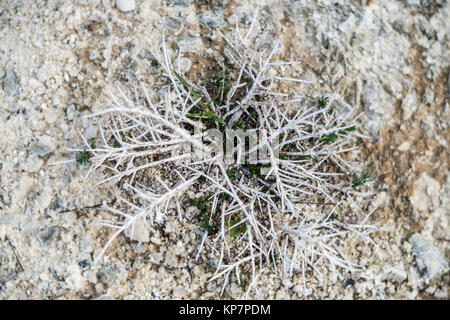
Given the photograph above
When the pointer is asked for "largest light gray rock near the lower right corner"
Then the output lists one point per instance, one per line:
(428, 257)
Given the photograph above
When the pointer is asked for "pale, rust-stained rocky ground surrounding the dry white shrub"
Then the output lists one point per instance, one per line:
(58, 58)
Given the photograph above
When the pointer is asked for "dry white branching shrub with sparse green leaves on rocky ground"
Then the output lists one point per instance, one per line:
(286, 218)
